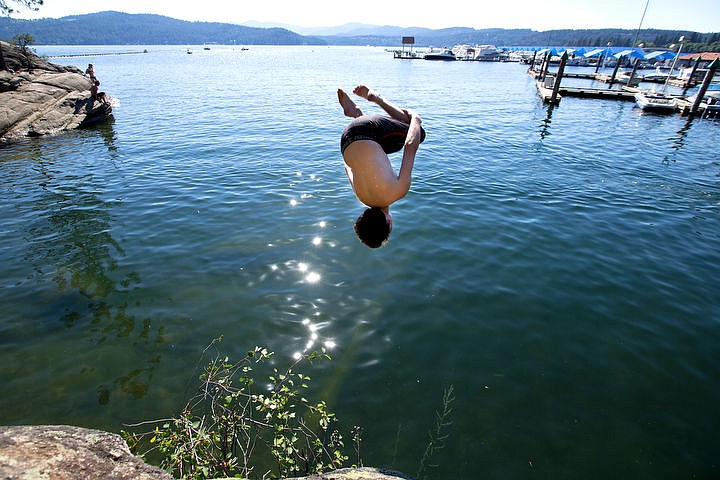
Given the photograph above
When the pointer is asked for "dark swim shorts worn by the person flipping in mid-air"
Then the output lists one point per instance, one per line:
(387, 132)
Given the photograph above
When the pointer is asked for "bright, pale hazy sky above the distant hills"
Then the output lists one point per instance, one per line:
(696, 15)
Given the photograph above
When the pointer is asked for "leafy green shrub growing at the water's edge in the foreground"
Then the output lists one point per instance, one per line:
(231, 427)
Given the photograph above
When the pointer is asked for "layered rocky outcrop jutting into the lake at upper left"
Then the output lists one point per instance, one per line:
(40, 98)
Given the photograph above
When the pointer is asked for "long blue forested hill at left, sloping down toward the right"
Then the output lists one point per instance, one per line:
(114, 28)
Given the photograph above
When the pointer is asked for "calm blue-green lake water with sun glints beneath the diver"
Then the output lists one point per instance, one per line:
(558, 267)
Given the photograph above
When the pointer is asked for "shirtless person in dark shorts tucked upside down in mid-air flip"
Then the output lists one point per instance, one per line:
(365, 144)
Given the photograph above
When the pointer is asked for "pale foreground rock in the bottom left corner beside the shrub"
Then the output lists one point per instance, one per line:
(69, 453)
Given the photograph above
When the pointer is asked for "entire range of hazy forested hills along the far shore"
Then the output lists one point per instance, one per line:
(113, 28)
